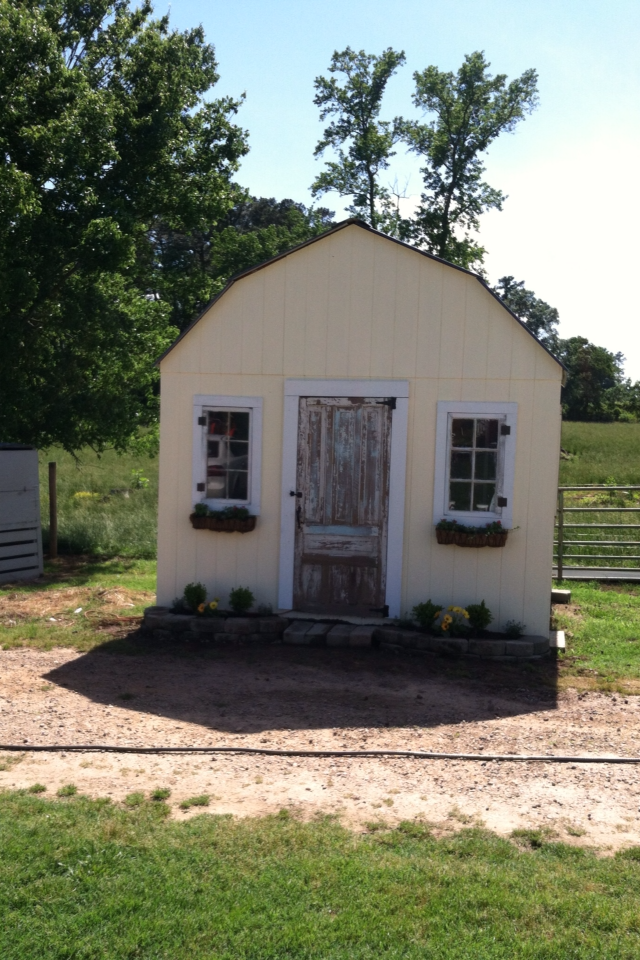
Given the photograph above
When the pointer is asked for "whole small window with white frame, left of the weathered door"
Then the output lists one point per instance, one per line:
(227, 445)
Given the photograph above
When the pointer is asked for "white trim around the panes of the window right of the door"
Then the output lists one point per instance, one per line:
(506, 411)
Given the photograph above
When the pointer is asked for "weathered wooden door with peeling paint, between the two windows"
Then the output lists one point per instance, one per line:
(342, 505)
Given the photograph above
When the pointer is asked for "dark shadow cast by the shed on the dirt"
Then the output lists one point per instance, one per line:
(255, 689)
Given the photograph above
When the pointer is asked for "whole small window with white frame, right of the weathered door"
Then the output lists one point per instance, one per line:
(475, 453)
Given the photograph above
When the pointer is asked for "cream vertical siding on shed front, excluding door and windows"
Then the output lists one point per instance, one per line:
(356, 305)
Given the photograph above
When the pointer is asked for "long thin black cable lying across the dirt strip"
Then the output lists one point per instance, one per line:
(269, 752)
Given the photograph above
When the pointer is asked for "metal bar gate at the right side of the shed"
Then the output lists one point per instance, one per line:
(602, 532)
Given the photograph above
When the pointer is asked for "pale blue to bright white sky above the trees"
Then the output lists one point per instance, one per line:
(569, 227)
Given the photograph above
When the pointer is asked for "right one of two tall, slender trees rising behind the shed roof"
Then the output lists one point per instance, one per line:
(472, 108)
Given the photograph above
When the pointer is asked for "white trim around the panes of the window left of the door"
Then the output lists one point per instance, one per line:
(202, 402)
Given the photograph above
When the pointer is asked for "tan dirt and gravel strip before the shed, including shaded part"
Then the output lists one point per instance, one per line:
(318, 699)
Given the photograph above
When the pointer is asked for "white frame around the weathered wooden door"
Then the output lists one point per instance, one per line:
(293, 390)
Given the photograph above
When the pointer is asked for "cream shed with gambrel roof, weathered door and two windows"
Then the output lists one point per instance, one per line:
(351, 394)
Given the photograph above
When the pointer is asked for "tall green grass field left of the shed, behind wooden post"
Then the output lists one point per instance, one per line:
(107, 505)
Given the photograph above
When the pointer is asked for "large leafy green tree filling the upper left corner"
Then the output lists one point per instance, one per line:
(104, 128)
